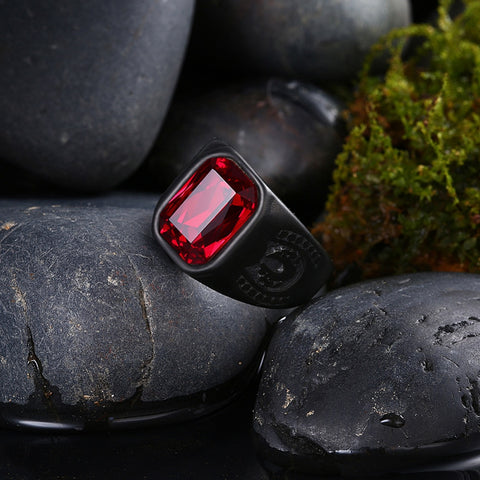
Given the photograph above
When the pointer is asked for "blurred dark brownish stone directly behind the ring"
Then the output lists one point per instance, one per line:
(289, 132)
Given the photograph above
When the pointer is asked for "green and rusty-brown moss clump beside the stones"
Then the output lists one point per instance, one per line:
(406, 190)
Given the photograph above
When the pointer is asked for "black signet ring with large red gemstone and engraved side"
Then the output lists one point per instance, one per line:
(222, 225)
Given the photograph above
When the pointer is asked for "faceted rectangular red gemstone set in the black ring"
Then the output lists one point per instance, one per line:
(208, 210)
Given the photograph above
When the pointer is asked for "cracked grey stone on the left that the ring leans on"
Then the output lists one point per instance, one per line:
(99, 328)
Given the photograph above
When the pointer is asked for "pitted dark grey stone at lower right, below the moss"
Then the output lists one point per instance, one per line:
(382, 375)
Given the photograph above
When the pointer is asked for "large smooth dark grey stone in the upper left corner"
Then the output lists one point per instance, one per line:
(85, 84)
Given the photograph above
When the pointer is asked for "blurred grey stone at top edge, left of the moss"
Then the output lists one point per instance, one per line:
(316, 39)
